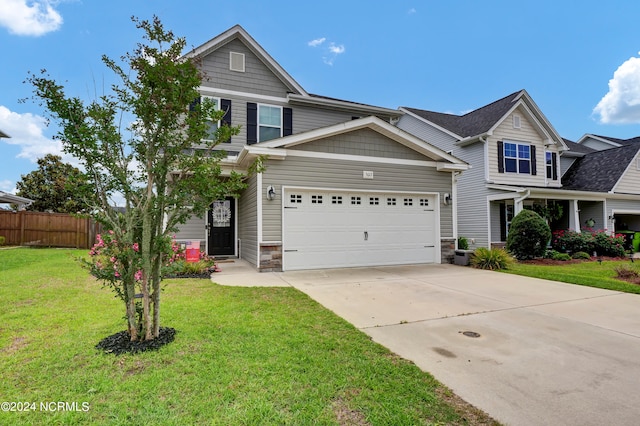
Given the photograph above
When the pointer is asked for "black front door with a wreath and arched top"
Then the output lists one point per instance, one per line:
(221, 228)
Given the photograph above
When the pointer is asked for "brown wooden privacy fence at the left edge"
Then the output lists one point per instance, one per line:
(47, 229)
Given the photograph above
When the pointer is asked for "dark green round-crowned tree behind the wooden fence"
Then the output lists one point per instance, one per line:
(56, 186)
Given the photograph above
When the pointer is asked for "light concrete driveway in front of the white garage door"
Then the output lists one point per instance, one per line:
(544, 353)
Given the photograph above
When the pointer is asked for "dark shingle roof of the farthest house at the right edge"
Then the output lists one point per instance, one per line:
(599, 171)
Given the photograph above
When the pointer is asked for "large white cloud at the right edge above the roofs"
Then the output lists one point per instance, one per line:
(621, 105)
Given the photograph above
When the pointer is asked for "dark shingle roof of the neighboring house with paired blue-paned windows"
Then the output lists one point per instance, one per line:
(473, 123)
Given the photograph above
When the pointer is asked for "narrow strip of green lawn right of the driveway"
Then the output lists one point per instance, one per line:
(592, 274)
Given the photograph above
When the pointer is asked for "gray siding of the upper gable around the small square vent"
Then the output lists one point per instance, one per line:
(257, 77)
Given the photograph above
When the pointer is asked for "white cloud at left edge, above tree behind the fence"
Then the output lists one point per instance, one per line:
(27, 132)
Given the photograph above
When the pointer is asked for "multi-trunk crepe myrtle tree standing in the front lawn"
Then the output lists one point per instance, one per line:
(150, 163)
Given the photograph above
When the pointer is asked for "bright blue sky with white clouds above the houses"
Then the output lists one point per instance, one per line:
(579, 61)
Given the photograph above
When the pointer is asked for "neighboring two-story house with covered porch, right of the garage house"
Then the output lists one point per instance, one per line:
(517, 159)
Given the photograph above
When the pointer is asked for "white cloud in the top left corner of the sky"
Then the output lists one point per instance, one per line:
(29, 17)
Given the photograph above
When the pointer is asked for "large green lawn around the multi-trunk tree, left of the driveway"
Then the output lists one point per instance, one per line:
(241, 356)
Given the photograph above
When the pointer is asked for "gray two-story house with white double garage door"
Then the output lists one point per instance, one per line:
(342, 187)
